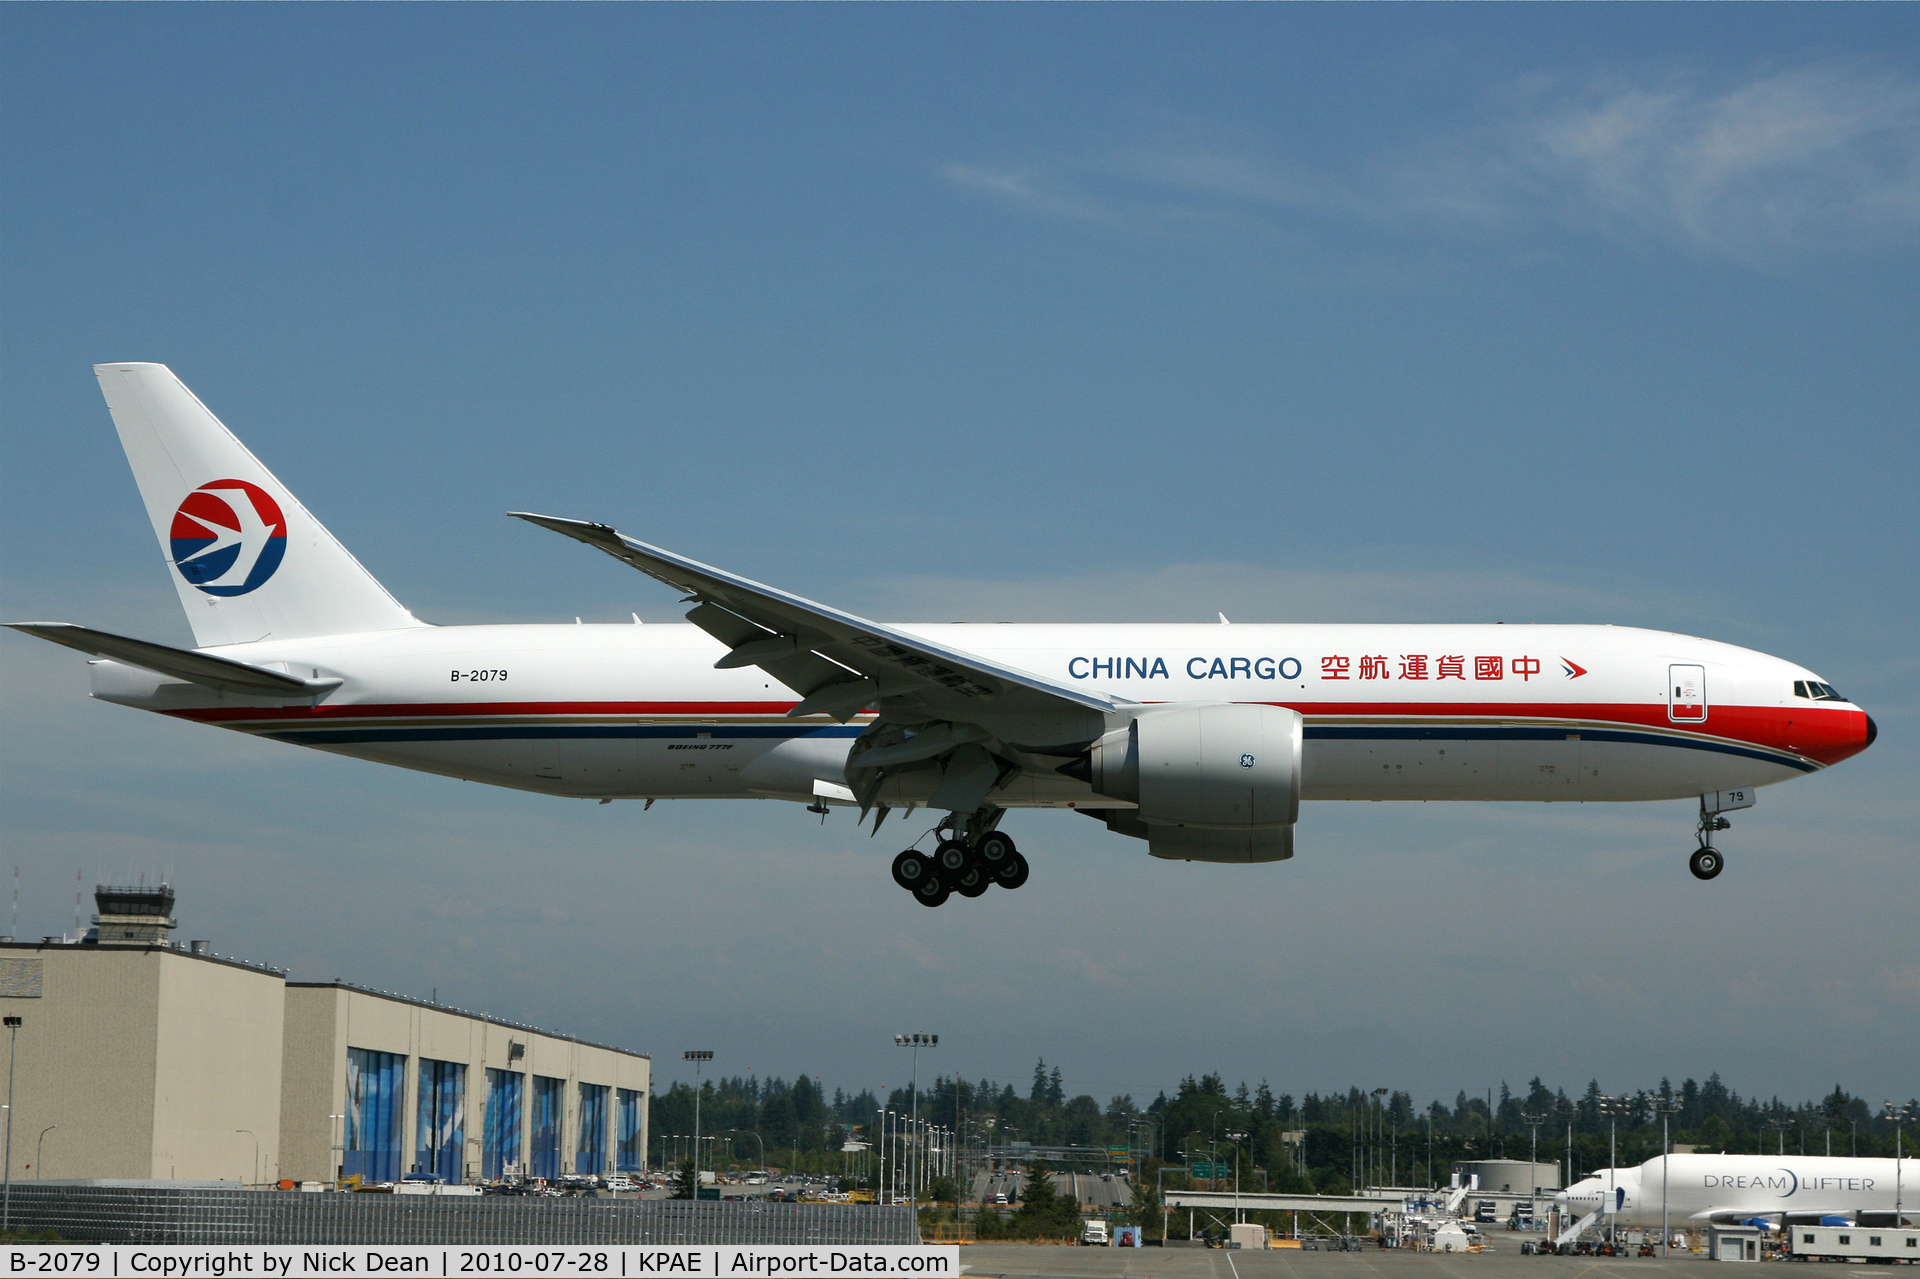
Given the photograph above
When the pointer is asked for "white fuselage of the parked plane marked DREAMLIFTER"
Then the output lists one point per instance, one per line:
(1746, 1186)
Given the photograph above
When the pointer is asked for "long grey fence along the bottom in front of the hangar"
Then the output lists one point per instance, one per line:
(206, 1217)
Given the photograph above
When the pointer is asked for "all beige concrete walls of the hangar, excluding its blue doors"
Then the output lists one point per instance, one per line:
(153, 1063)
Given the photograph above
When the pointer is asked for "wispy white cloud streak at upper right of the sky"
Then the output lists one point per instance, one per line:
(1777, 162)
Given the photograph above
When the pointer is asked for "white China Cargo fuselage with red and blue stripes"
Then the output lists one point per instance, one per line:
(1550, 713)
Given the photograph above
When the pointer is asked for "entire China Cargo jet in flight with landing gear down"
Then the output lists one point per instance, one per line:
(1199, 740)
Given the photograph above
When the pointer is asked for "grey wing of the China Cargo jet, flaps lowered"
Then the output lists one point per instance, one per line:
(836, 662)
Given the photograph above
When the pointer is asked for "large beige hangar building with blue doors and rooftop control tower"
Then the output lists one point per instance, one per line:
(141, 1059)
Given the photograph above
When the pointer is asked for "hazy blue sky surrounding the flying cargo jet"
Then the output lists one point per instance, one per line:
(1593, 314)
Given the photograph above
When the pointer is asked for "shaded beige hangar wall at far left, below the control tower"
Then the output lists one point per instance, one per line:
(85, 1063)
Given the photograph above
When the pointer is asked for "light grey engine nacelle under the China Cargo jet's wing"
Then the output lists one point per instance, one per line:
(1214, 783)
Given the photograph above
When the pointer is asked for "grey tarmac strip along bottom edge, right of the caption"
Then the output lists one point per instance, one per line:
(1040, 1263)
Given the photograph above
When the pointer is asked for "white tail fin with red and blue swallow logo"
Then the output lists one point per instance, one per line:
(249, 560)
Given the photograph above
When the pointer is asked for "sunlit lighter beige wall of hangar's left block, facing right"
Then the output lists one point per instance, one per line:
(218, 1071)
